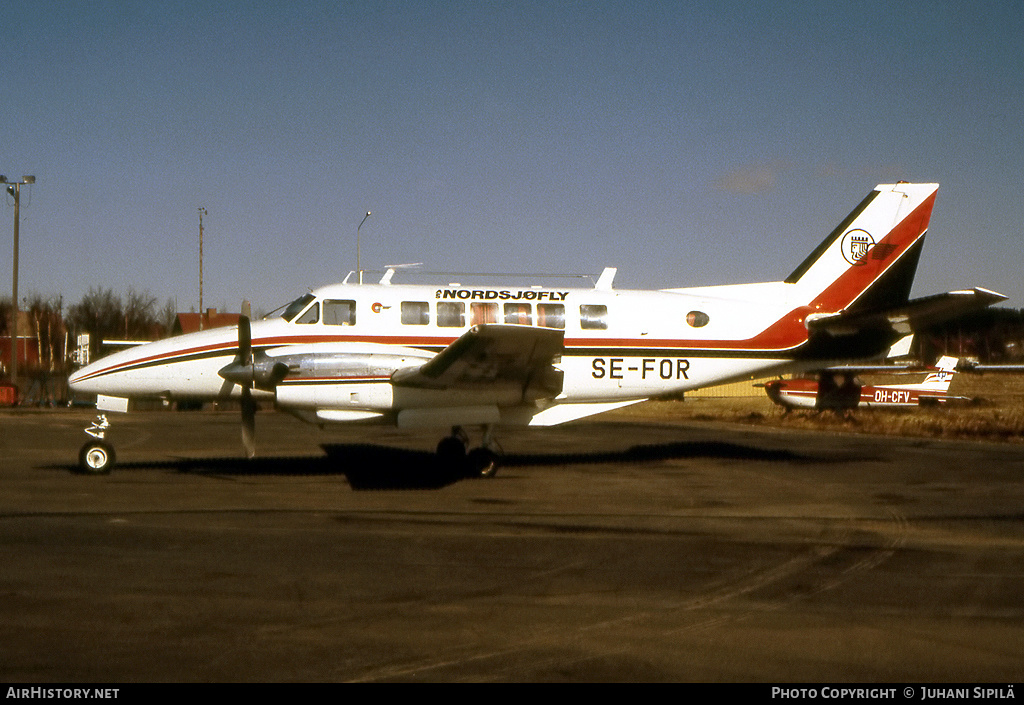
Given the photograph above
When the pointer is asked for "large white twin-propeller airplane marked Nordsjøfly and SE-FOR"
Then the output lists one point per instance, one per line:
(457, 357)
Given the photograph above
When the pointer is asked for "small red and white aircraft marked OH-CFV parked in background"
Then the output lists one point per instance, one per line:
(839, 390)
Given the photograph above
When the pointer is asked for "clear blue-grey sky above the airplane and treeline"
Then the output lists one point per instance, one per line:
(686, 143)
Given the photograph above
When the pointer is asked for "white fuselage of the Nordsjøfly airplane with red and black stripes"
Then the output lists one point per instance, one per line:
(344, 344)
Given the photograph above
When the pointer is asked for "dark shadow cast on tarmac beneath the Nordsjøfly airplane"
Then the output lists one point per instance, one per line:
(369, 467)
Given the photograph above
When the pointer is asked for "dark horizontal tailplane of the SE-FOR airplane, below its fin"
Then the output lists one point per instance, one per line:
(915, 315)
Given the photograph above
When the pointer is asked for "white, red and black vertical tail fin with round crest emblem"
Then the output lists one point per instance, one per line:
(870, 261)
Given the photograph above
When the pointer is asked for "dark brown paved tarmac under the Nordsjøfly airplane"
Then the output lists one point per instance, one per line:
(614, 550)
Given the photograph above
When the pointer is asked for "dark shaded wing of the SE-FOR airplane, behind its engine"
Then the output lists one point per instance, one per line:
(491, 356)
